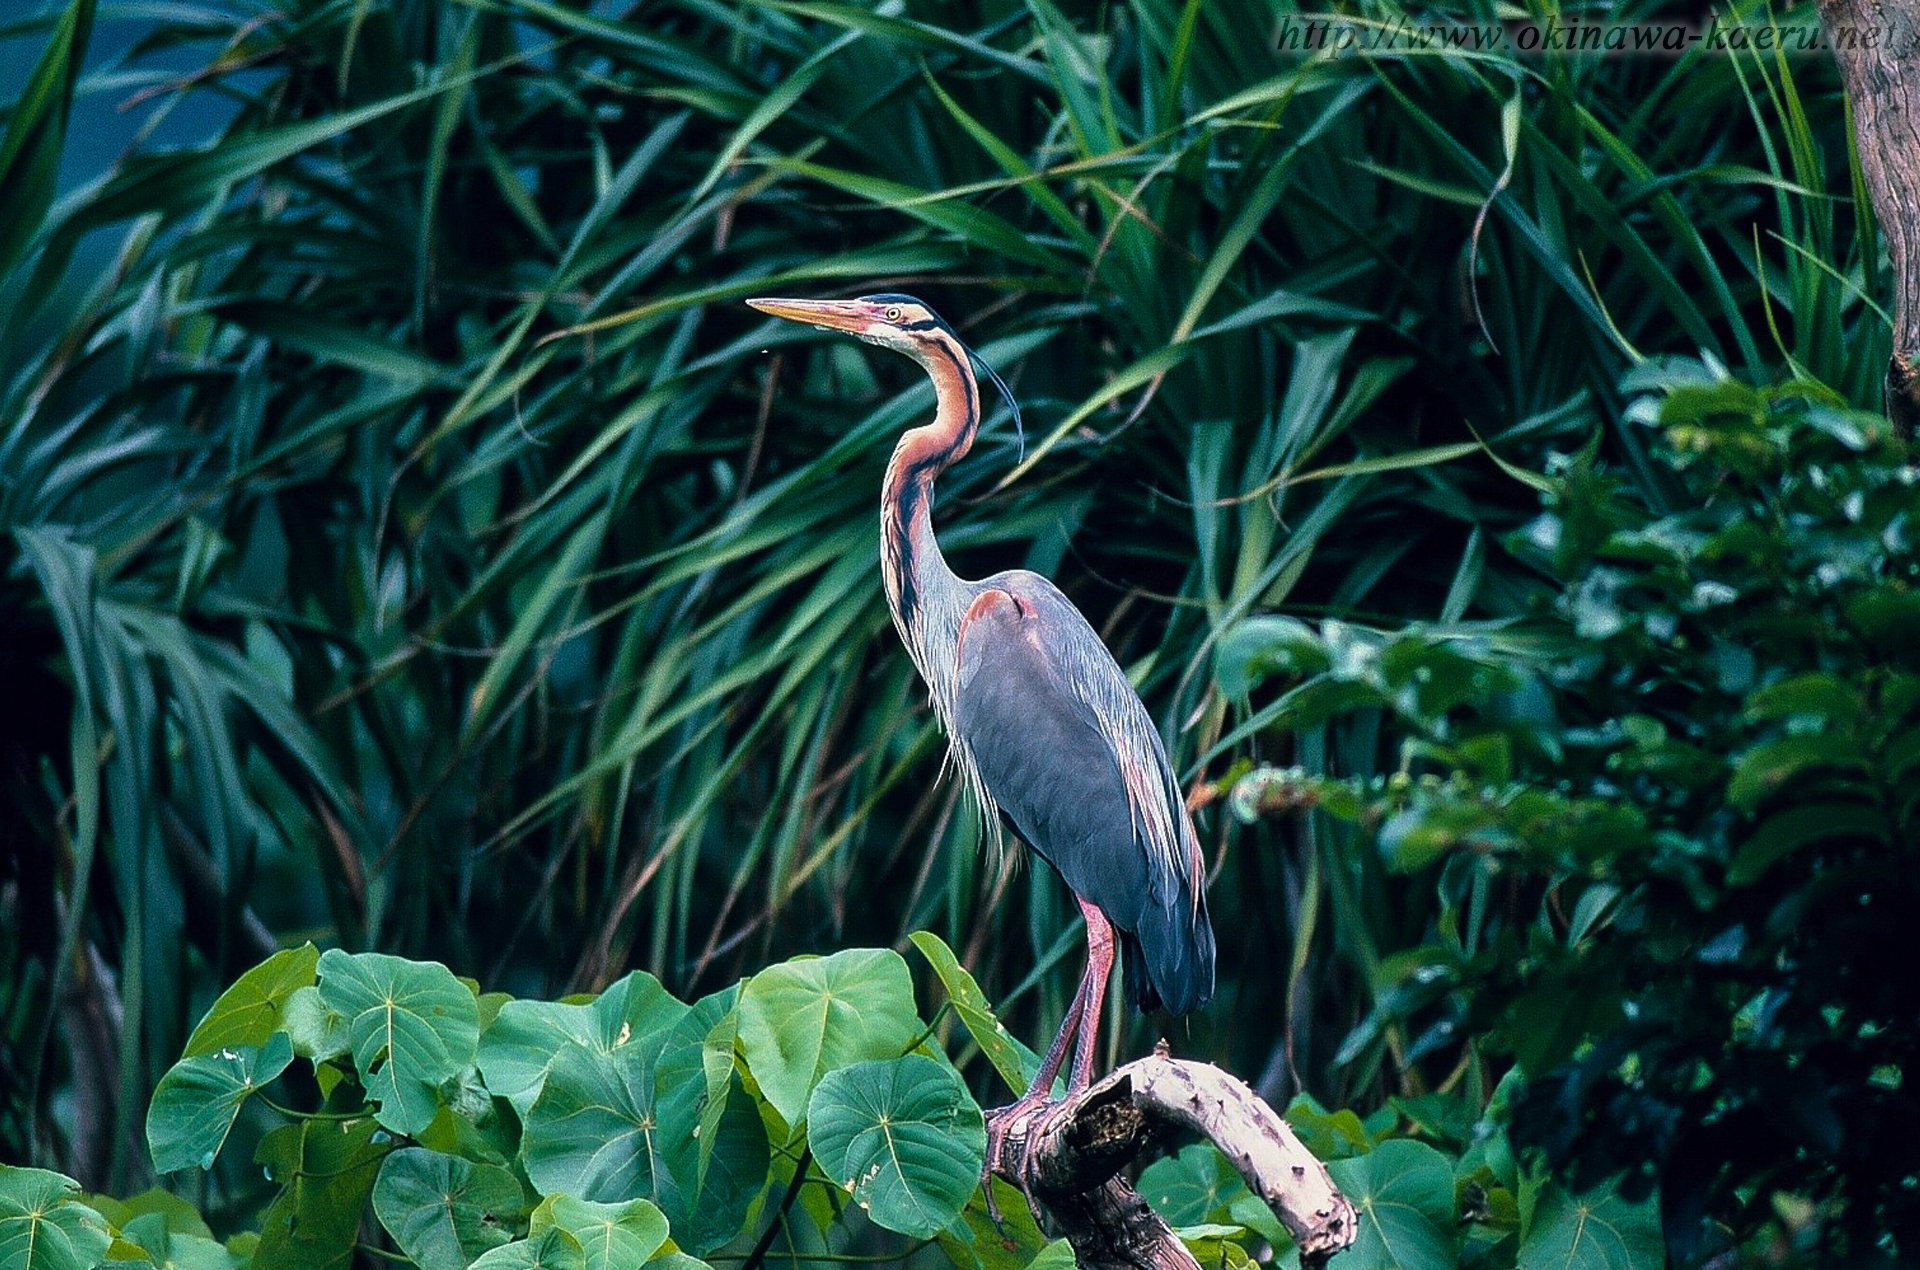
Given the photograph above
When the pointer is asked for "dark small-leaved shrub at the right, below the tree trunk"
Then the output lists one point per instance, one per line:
(1669, 819)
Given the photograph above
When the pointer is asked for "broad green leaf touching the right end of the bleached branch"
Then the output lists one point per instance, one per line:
(1404, 1194)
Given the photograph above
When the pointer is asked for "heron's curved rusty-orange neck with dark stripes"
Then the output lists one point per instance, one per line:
(924, 595)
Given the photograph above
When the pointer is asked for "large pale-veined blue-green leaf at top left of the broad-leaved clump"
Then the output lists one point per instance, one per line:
(414, 1027)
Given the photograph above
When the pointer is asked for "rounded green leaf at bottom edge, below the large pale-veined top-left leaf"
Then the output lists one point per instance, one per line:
(444, 1211)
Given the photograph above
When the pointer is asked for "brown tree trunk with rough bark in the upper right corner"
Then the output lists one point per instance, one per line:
(1877, 45)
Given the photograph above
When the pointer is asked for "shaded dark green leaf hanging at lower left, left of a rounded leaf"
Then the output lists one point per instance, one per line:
(327, 1173)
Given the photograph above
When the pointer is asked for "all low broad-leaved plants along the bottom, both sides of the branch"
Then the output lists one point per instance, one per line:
(631, 1131)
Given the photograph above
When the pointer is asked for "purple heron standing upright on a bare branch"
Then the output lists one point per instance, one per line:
(1042, 720)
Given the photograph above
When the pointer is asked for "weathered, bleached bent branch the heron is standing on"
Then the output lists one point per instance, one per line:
(1082, 1144)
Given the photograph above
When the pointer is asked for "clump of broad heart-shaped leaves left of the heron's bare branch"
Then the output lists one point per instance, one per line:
(627, 1129)
